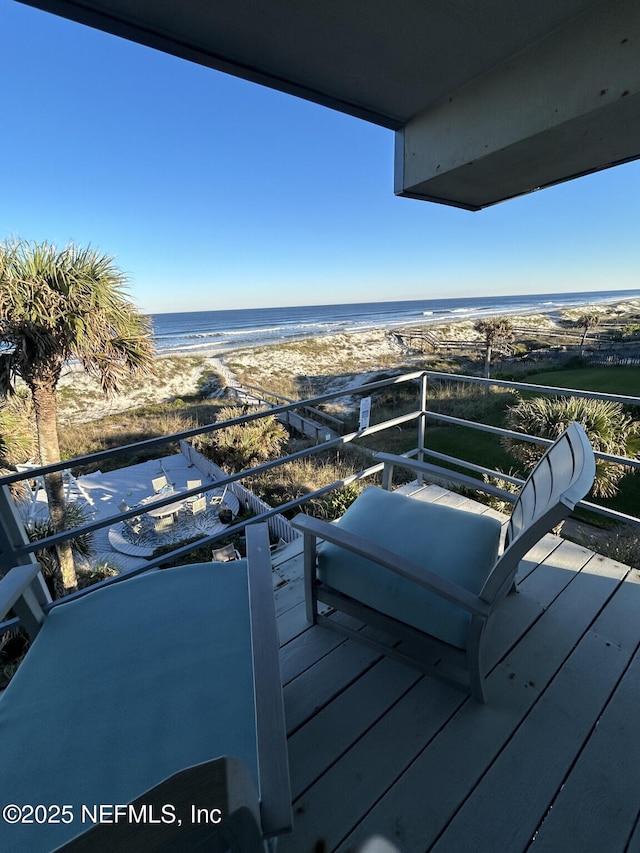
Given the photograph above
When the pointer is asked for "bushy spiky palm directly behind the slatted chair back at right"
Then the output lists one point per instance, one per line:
(609, 430)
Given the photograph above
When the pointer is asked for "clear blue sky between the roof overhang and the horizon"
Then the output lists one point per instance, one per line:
(215, 193)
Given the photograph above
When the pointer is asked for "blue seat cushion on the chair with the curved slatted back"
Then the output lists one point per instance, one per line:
(458, 545)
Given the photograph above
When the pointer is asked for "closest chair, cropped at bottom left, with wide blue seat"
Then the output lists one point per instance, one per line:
(147, 714)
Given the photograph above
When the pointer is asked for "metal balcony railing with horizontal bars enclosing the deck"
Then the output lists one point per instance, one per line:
(15, 548)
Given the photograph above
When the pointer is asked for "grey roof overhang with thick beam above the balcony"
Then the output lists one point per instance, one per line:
(488, 100)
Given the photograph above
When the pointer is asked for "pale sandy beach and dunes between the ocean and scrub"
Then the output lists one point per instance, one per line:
(298, 368)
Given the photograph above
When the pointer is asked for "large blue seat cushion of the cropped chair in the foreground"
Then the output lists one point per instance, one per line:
(124, 687)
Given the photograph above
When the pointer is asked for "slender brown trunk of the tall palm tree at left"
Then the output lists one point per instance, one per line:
(44, 401)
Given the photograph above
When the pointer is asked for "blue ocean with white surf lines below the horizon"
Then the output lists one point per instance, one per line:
(219, 331)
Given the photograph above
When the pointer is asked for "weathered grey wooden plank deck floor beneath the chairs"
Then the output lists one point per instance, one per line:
(551, 763)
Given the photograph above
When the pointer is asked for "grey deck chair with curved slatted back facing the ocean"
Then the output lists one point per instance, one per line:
(429, 575)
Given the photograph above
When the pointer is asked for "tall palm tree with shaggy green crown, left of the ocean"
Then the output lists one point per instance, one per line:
(57, 305)
